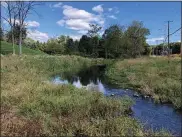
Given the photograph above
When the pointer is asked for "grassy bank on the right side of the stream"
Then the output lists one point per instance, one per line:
(150, 76)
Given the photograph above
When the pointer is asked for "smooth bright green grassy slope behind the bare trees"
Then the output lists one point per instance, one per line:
(6, 48)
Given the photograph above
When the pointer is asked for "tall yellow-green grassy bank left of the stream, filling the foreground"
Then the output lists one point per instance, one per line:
(33, 106)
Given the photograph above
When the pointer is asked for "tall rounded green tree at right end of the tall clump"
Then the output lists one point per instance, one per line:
(136, 38)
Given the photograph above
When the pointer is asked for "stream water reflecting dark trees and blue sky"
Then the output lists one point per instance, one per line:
(151, 115)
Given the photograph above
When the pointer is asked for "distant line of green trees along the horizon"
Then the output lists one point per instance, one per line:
(116, 42)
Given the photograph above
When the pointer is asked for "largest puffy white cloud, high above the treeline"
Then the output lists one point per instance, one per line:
(78, 19)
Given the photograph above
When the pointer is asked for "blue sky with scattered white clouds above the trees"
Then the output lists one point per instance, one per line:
(73, 18)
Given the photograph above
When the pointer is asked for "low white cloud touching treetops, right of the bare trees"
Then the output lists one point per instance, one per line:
(37, 35)
